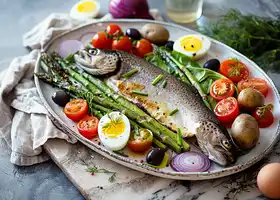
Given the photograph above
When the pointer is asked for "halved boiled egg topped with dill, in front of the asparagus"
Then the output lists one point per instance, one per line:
(114, 130)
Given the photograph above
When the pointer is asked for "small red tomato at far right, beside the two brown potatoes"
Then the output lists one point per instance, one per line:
(264, 116)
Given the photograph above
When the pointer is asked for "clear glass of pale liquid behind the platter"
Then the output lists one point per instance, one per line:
(184, 11)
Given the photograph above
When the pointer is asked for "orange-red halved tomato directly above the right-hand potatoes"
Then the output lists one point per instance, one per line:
(256, 83)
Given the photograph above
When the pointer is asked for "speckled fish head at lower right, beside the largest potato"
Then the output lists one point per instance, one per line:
(214, 141)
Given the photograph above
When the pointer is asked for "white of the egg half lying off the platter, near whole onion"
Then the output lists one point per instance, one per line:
(75, 14)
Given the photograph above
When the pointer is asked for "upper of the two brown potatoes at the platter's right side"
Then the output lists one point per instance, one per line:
(249, 99)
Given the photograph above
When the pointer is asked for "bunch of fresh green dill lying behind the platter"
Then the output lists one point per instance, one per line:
(256, 37)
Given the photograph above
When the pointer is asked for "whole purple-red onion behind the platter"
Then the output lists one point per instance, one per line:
(130, 9)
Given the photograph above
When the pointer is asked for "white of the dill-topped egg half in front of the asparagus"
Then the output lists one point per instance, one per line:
(119, 142)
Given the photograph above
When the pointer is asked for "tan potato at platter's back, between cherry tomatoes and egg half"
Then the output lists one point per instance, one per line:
(155, 33)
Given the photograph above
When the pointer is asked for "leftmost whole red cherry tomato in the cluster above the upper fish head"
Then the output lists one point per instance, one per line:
(101, 40)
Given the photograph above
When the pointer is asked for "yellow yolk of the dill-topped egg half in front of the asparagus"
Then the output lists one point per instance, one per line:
(113, 130)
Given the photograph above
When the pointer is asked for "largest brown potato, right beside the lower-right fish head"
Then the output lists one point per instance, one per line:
(245, 131)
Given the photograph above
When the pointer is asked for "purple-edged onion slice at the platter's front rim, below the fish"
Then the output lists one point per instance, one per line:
(190, 162)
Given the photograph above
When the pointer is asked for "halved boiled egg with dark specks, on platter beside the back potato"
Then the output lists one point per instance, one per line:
(194, 46)
